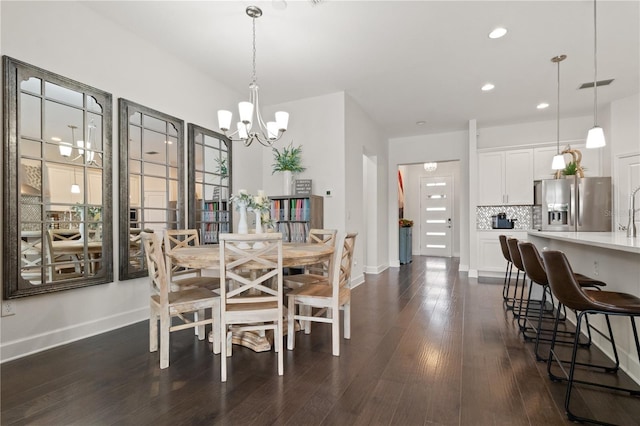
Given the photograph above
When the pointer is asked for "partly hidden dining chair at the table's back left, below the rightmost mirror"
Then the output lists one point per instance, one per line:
(182, 277)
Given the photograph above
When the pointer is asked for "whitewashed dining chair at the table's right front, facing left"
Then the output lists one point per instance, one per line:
(330, 295)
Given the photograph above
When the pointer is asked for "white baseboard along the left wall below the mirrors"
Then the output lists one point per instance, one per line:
(22, 347)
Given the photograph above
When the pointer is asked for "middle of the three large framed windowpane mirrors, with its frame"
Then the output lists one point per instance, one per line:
(151, 180)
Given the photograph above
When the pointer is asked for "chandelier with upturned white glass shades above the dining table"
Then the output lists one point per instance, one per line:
(251, 125)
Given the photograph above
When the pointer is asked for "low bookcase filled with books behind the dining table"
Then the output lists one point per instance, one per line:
(295, 215)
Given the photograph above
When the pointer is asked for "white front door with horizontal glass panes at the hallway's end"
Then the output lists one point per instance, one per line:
(436, 215)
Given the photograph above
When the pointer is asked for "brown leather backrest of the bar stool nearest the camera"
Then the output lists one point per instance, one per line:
(563, 282)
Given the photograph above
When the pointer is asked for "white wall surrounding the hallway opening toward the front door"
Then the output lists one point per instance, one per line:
(421, 149)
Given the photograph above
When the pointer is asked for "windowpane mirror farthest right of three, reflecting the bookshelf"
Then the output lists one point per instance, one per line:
(209, 183)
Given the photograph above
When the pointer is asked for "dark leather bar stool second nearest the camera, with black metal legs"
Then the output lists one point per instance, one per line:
(534, 267)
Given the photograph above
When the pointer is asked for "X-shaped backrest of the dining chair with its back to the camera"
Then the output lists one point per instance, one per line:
(264, 263)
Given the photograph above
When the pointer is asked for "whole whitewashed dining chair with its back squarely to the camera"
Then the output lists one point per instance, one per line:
(254, 300)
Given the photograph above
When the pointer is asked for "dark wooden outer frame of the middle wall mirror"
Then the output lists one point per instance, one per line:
(126, 109)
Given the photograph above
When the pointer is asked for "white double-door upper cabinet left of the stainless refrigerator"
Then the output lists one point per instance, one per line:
(505, 177)
